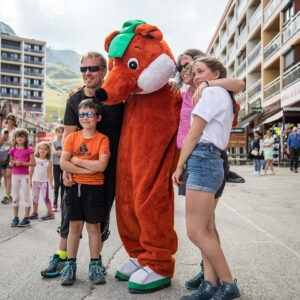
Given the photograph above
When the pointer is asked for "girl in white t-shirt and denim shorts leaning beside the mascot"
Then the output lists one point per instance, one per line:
(212, 120)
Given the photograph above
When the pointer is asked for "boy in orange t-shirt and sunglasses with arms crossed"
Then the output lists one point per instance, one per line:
(85, 155)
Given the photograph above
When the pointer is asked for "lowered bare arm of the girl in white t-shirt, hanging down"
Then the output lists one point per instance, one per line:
(189, 144)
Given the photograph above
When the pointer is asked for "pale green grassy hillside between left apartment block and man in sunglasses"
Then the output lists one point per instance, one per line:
(60, 82)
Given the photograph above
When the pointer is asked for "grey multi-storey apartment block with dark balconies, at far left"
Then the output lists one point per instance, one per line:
(22, 71)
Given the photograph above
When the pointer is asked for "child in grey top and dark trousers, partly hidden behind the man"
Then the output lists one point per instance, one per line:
(56, 148)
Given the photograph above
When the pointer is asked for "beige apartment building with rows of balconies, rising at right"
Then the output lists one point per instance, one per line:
(259, 41)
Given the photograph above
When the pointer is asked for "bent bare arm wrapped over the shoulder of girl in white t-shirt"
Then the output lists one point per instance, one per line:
(230, 84)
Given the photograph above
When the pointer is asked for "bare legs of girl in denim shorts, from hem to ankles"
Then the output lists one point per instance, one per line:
(199, 209)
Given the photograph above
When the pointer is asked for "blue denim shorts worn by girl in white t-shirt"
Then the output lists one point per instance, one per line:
(205, 168)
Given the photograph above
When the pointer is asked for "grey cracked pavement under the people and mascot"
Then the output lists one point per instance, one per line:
(258, 223)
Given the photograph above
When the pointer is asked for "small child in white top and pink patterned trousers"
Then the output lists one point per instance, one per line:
(40, 177)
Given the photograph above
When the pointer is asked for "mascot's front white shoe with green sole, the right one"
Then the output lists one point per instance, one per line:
(145, 281)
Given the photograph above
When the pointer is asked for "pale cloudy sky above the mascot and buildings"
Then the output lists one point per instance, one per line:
(82, 25)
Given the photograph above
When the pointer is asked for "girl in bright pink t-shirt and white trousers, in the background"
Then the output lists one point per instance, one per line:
(21, 158)
